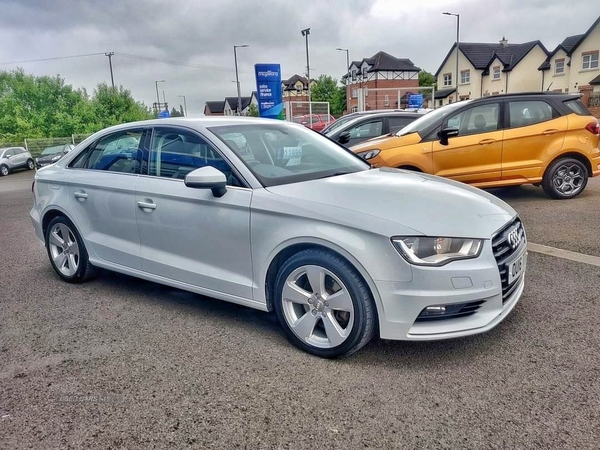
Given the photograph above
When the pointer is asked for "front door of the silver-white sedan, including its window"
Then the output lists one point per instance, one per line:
(189, 235)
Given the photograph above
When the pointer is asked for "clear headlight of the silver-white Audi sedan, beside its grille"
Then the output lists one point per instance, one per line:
(436, 251)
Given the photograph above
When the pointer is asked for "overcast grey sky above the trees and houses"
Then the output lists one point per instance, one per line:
(189, 43)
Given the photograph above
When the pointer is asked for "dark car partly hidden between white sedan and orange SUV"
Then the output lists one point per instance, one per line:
(368, 126)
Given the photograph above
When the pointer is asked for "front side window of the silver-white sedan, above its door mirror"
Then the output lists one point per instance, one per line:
(174, 153)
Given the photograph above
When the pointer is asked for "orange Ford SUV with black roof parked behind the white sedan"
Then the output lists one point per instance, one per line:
(542, 138)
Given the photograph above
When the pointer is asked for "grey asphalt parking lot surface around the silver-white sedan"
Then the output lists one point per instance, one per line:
(123, 363)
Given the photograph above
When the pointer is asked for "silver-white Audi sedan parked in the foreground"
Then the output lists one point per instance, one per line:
(271, 215)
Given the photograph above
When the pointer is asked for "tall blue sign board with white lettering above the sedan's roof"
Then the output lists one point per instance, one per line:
(268, 89)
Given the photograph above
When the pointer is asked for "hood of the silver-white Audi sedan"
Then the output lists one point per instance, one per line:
(395, 202)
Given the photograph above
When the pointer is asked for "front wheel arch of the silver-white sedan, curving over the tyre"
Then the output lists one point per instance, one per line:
(285, 253)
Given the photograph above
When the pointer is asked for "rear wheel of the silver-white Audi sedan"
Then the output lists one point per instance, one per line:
(67, 252)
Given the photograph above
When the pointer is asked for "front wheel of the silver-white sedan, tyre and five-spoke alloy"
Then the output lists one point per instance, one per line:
(333, 320)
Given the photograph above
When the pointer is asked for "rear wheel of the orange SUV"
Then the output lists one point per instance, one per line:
(565, 178)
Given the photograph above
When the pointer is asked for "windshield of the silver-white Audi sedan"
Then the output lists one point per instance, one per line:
(281, 153)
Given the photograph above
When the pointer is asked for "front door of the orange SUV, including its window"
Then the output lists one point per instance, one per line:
(475, 155)
